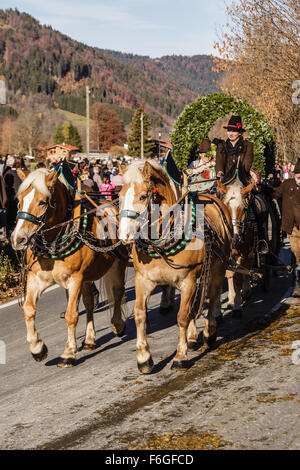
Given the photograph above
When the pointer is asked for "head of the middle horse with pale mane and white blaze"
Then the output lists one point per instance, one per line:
(144, 183)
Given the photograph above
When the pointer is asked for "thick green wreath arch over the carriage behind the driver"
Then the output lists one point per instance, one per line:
(196, 120)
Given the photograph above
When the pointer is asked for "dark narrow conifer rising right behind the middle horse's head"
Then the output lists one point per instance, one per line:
(134, 137)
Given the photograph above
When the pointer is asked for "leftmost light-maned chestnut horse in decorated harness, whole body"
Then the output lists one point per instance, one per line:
(42, 212)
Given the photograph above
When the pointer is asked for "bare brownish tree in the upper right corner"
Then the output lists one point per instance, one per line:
(260, 53)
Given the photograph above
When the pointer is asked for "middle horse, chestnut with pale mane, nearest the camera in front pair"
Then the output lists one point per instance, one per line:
(146, 182)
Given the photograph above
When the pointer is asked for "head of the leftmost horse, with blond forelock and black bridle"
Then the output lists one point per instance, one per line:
(36, 204)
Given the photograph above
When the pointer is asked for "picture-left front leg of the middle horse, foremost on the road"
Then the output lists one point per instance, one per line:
(142, 291)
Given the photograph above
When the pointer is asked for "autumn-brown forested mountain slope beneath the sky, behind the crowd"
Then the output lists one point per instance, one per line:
(37, 59)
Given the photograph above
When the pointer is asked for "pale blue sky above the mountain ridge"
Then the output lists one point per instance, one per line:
(144, 27)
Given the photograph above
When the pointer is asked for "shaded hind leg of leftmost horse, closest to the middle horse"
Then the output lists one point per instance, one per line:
(118, 274)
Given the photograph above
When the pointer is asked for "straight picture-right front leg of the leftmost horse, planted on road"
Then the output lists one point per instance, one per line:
(68, 358)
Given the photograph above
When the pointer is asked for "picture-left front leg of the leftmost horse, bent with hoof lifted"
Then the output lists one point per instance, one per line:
(34, 288)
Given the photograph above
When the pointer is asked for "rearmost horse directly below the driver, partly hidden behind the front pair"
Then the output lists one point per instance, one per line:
(236, 198)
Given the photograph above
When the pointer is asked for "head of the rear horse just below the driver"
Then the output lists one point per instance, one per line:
(236, 198)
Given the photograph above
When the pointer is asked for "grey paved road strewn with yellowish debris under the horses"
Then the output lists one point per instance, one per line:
(242, 394)
